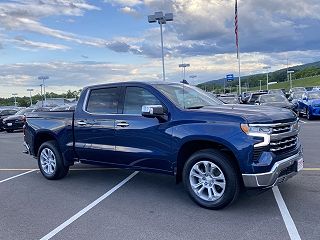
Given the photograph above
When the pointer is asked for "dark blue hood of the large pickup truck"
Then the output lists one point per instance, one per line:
(252, 113)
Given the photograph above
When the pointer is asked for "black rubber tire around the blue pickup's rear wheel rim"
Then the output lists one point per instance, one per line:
(60, 170)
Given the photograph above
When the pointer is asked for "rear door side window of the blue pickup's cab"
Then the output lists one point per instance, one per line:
(103, 101)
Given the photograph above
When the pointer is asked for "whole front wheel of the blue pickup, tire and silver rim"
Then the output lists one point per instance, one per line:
(210, 179)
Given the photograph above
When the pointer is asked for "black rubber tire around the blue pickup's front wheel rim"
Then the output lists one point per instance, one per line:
(232, 182)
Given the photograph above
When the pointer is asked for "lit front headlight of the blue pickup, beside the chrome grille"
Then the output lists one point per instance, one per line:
(258, 131)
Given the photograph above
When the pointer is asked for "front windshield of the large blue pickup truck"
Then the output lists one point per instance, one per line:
(186, 96)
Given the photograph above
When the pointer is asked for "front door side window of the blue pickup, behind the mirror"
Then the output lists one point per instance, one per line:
(135, 98)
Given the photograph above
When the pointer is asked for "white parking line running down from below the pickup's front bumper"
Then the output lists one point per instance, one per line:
(291, 227)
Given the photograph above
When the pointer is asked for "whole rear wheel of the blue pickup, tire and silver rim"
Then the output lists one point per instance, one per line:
(50, 161)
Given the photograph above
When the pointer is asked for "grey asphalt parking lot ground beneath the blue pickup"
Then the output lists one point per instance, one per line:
(99, 203)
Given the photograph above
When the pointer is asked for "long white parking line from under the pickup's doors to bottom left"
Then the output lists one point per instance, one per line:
(87, 208)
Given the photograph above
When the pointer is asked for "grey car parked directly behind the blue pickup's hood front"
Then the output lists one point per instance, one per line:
(274, 100)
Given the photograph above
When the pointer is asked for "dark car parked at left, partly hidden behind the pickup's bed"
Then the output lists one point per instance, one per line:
(16, 121)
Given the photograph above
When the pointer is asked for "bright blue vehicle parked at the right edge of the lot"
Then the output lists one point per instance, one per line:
(309, 105)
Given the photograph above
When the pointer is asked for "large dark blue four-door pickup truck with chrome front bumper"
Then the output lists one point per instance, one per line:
(215, 149)
